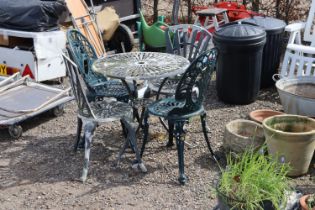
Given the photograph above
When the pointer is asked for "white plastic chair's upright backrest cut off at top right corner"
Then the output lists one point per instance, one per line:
(309, 32)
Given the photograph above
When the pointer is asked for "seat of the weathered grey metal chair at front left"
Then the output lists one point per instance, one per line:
(108, 110)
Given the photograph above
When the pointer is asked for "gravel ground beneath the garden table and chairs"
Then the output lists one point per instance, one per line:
(41, 171)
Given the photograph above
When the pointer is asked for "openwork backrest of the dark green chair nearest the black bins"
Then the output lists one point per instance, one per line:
(194, 82)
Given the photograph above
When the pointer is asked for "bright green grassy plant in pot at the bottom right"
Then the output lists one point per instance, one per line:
(253, 181)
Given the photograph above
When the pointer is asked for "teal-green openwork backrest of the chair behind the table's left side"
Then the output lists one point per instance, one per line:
(83, 55)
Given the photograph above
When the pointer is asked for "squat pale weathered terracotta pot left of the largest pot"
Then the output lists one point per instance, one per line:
(242, 134)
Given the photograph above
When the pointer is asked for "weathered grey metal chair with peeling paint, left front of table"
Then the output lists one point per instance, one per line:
(93, 113)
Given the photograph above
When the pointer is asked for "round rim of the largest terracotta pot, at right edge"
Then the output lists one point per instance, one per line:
(311, 132)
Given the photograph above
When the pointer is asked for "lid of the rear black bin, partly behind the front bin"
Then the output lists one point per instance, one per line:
(268, 23)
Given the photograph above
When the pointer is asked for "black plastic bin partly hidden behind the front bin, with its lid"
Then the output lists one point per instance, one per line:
(272, 50)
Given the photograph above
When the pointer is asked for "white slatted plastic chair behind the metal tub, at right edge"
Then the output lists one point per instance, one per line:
(299, 59)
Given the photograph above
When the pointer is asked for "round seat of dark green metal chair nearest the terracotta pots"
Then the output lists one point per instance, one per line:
(165, 107)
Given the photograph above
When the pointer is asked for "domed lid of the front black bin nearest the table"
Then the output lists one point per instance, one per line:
(239, 33)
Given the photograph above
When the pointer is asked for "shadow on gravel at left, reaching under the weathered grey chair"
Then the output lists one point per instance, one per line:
(52, 160)
